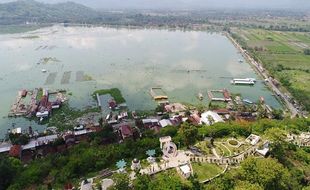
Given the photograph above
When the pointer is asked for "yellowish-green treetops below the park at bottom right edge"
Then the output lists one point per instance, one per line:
(257, 174)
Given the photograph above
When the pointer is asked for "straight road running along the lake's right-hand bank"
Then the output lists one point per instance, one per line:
(263, 73)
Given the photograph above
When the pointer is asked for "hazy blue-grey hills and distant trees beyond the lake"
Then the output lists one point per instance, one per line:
(30, 11)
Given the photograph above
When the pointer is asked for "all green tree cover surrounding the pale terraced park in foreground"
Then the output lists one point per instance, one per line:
(288, 166)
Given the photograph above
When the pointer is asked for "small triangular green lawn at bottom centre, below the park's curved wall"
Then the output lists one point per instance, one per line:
(205, 170)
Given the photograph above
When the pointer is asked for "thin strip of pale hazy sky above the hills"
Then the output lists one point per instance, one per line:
(188, 4)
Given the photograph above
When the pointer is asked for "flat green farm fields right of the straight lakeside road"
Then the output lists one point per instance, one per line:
(282, 54)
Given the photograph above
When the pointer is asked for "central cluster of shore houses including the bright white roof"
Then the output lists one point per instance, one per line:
(173, 115)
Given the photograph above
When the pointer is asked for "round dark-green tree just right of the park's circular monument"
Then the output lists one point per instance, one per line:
(188, 133)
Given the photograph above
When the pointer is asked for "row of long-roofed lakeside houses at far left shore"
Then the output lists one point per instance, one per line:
(39, 146)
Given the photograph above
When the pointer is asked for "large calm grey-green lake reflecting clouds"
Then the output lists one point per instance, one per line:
(83, 59)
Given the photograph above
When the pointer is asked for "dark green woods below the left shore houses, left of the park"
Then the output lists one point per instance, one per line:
(79, 161)
